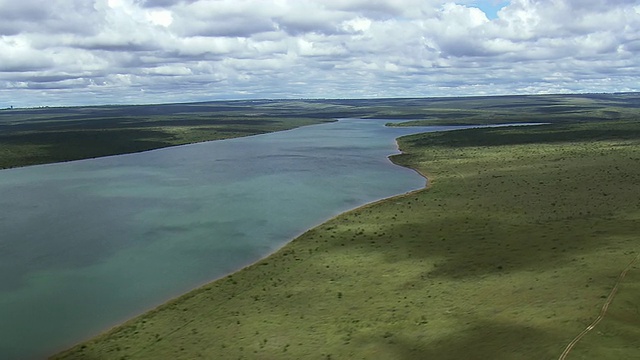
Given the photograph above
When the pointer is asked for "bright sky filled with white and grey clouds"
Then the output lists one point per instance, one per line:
(86, 52)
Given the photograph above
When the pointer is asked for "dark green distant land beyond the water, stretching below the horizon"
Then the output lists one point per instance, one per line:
(46, 135)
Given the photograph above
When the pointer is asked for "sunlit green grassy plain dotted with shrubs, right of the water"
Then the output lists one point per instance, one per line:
(509, 254)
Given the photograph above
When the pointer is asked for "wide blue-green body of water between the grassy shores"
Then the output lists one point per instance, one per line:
(85, 245)
